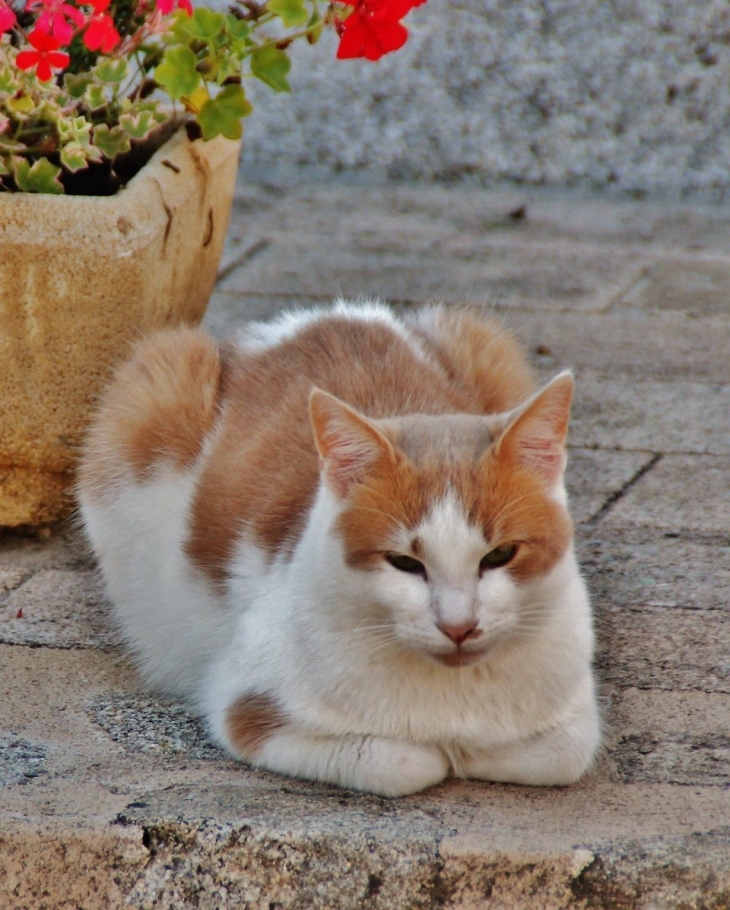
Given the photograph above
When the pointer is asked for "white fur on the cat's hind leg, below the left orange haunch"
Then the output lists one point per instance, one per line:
(172, 620)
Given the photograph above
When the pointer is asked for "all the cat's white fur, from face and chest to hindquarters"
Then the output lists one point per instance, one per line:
(351, 656)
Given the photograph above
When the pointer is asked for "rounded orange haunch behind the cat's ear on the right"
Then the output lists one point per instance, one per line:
(478, 355)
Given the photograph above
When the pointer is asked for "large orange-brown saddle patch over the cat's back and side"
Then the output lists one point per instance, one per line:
(263, 472)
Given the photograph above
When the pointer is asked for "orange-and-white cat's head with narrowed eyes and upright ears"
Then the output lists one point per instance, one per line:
(458, 520)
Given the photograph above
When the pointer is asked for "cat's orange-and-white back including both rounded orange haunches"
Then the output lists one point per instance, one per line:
(232, 420)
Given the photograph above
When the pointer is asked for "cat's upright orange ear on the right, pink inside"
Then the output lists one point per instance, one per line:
(535, 436)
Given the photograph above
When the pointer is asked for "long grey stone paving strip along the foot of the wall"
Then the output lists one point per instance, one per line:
(420, 217)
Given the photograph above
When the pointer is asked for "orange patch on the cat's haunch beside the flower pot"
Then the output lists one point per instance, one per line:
(160, 405)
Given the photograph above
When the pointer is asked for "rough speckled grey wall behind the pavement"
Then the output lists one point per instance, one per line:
(631, 94)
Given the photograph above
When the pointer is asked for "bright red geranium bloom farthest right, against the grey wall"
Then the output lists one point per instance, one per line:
(373, 28)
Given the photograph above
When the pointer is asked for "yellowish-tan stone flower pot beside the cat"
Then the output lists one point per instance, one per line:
(81, 277)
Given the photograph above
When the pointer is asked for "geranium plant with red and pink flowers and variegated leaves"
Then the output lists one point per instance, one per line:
(89, 88)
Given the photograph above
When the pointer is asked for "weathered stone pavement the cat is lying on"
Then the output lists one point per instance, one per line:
(110, 798)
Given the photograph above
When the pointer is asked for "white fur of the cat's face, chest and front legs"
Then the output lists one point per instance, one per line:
(369, 704)
